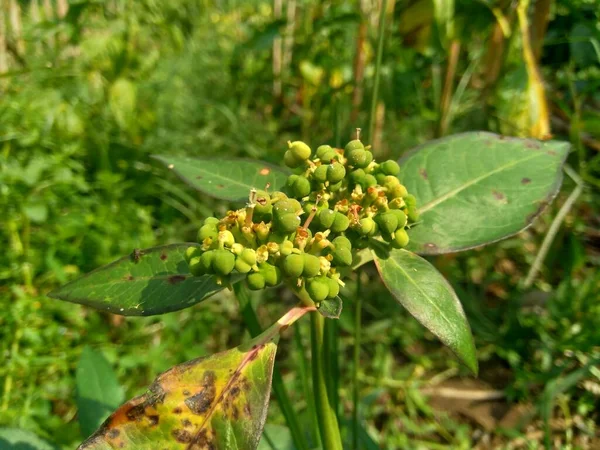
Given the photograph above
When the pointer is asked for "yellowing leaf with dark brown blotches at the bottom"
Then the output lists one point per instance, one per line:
(214, 403)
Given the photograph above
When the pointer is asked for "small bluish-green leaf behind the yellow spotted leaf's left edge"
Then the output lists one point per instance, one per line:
(98, 390)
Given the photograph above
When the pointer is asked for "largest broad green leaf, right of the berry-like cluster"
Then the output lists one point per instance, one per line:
(476, 188)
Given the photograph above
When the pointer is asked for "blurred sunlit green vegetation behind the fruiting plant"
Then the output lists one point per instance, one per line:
(90, 89)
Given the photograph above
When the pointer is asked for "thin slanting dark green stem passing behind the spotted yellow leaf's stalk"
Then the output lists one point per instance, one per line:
(281, 395)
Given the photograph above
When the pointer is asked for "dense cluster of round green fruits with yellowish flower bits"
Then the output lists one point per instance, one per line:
(336, 203)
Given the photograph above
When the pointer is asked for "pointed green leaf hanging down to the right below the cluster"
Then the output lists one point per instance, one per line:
(424, 292)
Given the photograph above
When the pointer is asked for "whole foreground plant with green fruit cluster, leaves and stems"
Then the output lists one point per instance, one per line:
(310, 229)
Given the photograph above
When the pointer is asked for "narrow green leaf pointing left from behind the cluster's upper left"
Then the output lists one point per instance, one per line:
(226, 179)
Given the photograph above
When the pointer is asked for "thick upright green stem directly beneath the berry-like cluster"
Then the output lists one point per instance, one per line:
(328, 424)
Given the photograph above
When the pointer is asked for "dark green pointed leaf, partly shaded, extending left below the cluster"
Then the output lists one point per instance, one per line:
(152, 281)
